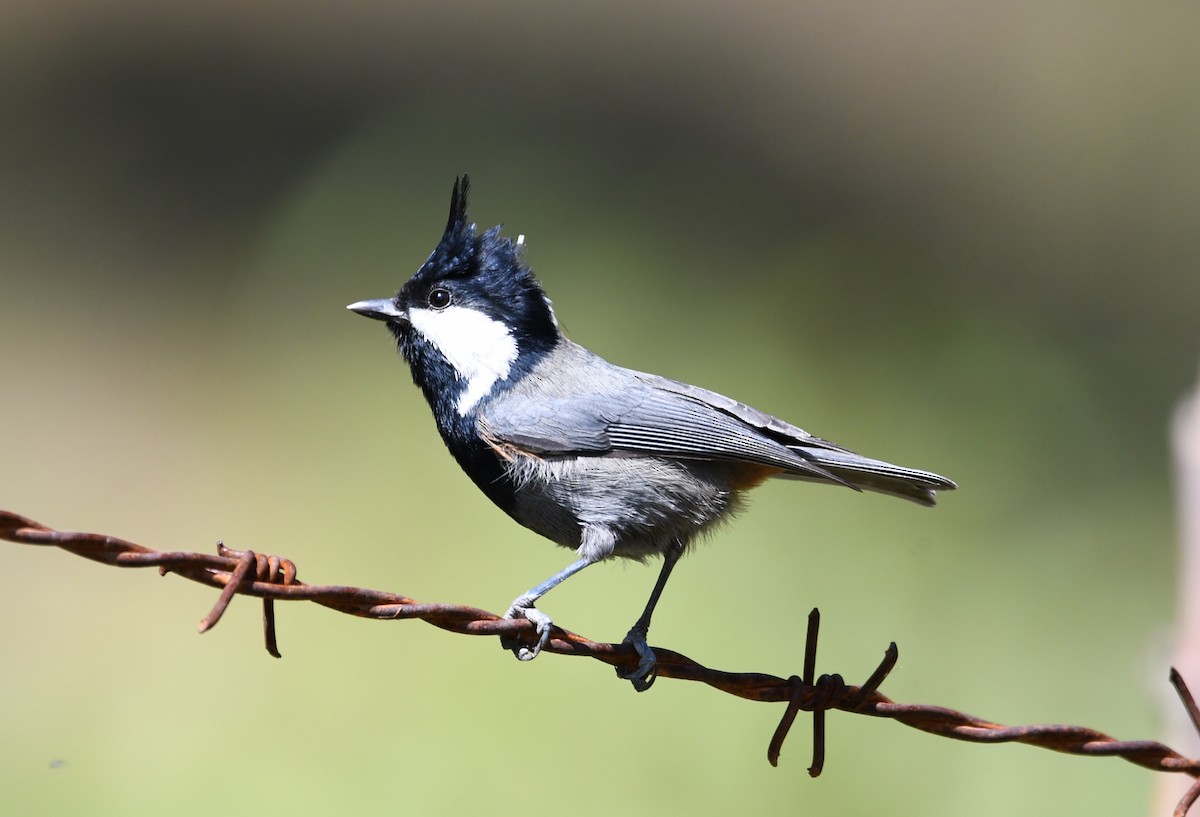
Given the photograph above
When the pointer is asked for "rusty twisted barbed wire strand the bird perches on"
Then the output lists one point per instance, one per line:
(273, 579)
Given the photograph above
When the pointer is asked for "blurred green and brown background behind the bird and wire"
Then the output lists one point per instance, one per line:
(961, 237)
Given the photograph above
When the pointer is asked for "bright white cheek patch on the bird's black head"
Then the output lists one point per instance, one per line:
(481, 349)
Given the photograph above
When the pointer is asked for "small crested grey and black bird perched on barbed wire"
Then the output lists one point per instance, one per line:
(603, 460)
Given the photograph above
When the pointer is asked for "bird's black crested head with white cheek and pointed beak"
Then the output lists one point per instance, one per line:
(472, 317)
